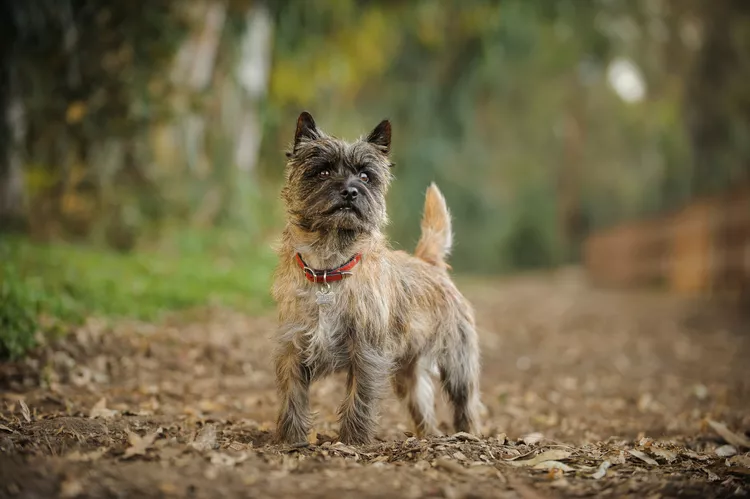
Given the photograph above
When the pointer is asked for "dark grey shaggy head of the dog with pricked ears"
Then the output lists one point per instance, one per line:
(335, 185)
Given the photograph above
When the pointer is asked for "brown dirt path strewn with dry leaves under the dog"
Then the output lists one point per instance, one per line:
(185, 409)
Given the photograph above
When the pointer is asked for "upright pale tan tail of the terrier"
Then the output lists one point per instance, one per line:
(437, 236)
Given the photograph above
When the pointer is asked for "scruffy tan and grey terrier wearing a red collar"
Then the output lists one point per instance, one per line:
(346, 301)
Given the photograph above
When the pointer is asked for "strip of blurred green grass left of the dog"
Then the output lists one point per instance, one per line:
(65, 283)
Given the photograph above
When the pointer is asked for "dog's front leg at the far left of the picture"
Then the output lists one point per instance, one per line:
(293, 380)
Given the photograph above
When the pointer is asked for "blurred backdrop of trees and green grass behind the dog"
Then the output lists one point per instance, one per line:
(151, 134)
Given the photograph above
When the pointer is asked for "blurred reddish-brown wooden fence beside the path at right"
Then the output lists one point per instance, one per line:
(701, 249)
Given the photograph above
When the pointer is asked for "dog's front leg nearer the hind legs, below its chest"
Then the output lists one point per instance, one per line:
(368, 374)
